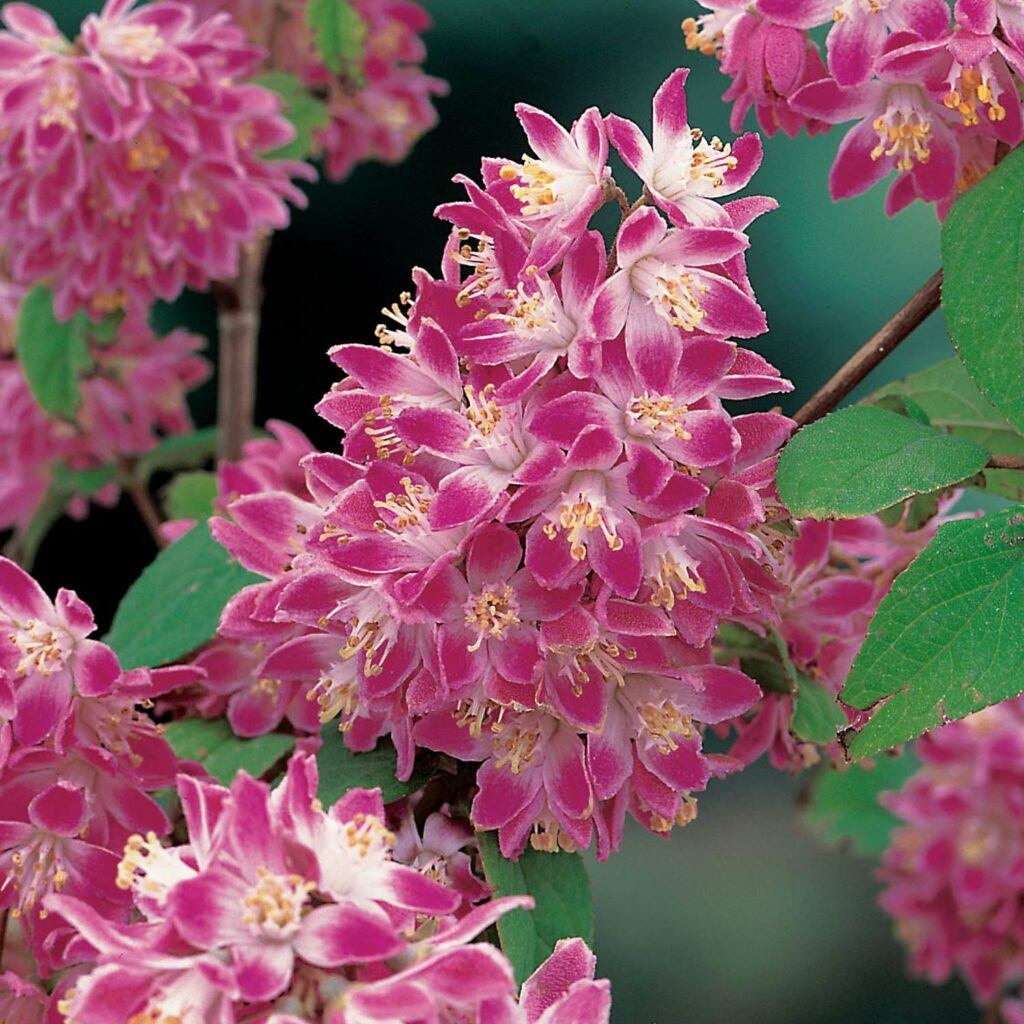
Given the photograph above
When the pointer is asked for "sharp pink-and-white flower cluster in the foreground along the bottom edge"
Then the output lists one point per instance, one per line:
(279, 911)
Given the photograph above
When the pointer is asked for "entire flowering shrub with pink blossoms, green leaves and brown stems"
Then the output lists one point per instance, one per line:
(337, 755)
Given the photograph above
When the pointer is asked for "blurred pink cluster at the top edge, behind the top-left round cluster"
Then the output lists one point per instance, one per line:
(380, 107)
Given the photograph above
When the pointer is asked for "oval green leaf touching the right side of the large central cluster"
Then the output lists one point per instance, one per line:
(864, 459)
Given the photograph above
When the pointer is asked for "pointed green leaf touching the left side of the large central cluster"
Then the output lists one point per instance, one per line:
(176, 605)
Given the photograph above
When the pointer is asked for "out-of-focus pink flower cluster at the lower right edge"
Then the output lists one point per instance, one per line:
(955, 871)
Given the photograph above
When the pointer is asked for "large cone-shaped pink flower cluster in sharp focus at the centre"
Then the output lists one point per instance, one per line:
(542, 509)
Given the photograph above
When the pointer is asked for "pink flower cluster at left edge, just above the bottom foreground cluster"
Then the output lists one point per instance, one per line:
(79, 758)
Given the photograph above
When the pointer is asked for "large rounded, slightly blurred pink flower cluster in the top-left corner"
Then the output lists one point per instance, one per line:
(132, 161)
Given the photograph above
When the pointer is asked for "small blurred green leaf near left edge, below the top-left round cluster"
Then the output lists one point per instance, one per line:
(53, 355)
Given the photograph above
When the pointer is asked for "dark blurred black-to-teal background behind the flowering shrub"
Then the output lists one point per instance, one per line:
(743, 916)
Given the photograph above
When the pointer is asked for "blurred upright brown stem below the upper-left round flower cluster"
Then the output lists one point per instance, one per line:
(238, 323)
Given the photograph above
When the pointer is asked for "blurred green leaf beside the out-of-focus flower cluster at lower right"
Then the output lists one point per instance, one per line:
(845, 805)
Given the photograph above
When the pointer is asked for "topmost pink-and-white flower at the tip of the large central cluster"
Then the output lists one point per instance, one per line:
(685, 172)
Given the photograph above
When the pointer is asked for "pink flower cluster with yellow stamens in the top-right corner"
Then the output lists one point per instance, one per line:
(934, 94)
